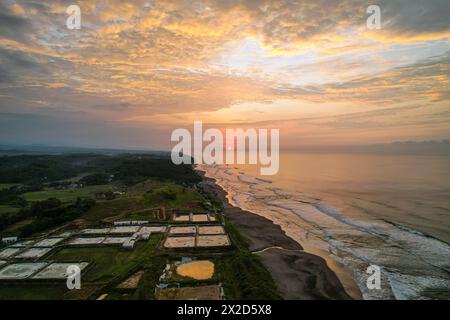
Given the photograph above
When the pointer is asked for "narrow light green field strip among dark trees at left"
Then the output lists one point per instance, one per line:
(67, 195)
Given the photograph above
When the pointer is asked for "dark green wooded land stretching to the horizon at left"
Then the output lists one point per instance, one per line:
(26, 179)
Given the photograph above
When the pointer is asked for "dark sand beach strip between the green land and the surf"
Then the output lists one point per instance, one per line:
(298, 274)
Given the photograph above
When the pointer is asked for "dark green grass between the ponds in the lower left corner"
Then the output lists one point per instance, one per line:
(111, 266)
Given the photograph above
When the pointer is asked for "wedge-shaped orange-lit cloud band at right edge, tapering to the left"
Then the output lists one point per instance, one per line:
(427, 80)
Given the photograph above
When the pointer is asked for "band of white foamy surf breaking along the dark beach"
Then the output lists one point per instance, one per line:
(411, 262)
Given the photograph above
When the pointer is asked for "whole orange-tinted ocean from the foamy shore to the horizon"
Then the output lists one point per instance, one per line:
(357, 210)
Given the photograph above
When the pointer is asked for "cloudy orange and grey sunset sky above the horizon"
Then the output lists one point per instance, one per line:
(136, 70)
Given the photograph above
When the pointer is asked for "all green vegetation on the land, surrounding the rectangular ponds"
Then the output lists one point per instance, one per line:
(40, 193)
